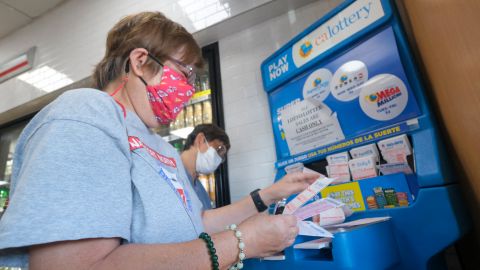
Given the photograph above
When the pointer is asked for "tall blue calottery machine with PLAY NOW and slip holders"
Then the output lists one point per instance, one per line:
(346, 100)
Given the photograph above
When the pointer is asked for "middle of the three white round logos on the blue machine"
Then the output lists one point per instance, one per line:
(348, 79)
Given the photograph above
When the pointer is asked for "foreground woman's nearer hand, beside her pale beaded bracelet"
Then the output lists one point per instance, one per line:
(265, 235)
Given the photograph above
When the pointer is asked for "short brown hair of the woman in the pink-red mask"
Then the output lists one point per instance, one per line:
(152, 31)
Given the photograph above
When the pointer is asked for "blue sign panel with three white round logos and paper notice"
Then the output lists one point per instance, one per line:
(338, 84)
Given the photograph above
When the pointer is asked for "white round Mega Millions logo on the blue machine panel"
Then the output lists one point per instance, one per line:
(384, 97)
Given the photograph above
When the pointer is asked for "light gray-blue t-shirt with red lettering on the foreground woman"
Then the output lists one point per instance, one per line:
(83, 170)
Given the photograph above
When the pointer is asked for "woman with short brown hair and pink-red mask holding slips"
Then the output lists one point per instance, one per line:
(94, 188)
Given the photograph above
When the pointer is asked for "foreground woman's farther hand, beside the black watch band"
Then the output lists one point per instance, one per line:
(290, 184)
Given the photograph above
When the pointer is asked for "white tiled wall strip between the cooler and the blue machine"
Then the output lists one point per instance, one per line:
(247, 118)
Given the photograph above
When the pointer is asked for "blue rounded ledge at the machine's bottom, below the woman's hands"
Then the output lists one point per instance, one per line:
(373, 245)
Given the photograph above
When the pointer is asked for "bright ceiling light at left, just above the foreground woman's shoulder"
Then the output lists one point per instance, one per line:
(46, 79)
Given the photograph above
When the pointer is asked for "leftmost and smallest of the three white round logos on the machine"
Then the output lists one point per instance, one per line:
(317, 85)
